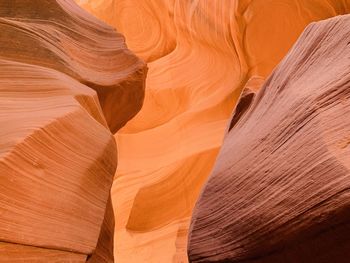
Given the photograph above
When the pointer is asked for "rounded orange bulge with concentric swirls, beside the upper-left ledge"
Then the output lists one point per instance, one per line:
(147, 25)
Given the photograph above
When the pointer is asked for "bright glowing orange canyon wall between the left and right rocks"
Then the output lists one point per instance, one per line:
(200, 55)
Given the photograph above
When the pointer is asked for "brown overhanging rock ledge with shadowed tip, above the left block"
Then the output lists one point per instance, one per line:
(59, 35)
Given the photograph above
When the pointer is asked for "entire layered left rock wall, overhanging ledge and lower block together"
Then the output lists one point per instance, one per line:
(66, 81)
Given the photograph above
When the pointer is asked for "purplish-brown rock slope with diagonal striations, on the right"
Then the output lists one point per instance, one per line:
(279, 191)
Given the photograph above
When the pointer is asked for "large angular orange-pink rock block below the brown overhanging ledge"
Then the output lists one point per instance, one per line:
(56, 160)
